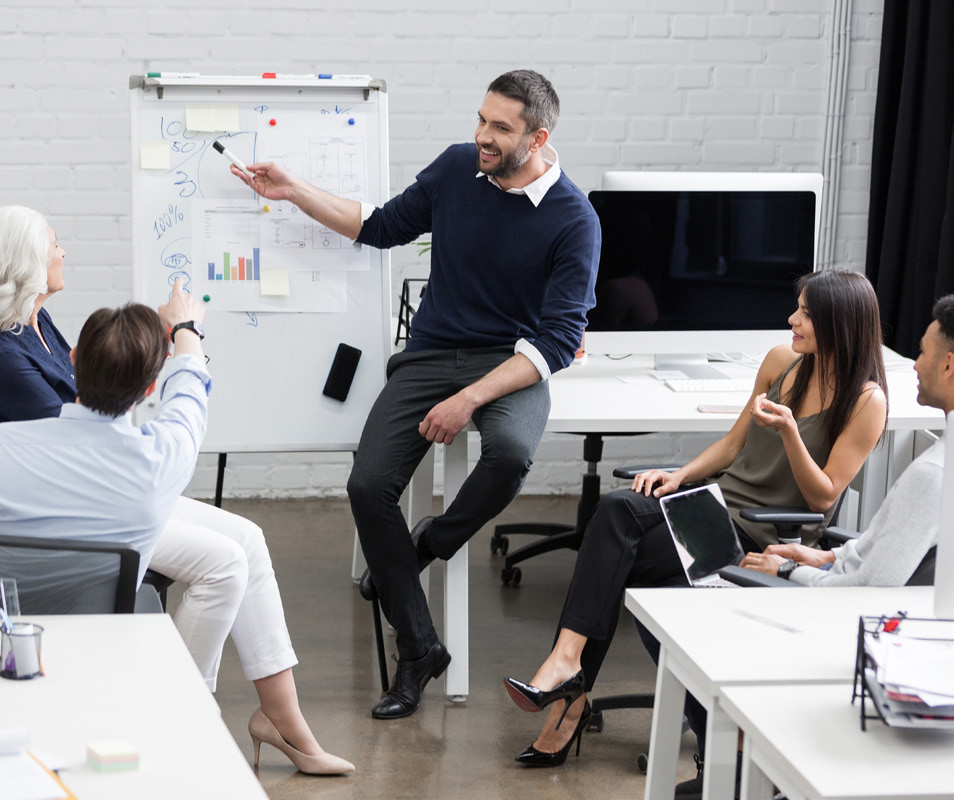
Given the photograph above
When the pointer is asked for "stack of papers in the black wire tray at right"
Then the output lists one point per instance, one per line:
(910, 673)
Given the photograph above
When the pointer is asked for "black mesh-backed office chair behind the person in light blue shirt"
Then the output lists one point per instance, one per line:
(64, 576)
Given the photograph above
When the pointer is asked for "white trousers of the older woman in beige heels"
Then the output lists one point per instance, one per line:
(224, 563)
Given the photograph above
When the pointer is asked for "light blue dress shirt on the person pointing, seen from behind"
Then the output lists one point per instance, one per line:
(87, 476)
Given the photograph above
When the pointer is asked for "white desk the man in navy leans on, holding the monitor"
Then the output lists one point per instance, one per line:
(590, 398)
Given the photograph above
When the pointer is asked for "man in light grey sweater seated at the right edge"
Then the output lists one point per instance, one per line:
(906, 525)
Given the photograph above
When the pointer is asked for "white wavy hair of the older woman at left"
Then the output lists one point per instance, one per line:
(24, 251)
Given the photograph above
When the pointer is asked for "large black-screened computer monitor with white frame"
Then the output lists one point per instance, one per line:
(706, 261)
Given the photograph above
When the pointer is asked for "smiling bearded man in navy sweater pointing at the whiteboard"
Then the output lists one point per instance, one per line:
(515, 248)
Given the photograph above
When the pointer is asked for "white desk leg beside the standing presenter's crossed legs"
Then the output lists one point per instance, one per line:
(456, 589)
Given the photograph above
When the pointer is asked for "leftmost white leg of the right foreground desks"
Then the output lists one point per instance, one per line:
(666, 732)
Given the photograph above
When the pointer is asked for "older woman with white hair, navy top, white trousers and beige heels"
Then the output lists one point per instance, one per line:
(220, 557)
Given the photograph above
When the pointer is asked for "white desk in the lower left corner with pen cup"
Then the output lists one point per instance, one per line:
(129, 677)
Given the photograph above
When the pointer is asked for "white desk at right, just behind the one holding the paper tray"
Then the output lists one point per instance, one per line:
(709, 641)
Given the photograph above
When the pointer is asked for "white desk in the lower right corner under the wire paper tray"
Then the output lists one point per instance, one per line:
(806, 739)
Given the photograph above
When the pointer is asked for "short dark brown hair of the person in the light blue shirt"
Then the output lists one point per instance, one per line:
(119, 354)
